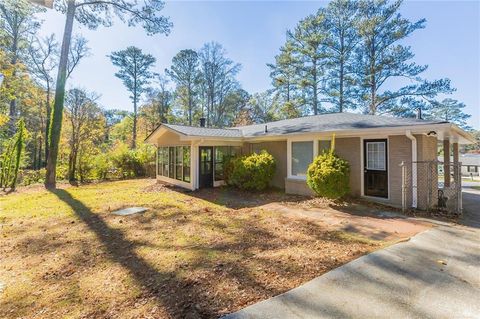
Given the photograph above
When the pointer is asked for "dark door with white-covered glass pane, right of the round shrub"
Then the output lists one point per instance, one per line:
(375, 168)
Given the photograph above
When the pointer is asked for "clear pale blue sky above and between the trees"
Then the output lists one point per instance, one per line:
(253, 31)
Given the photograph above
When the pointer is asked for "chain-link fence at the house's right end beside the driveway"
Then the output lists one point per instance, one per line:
(432, 186)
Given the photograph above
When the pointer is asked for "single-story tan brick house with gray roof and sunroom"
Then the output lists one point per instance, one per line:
(375, 146)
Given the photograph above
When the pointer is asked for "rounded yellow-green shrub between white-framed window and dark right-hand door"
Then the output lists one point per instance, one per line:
(329, 175)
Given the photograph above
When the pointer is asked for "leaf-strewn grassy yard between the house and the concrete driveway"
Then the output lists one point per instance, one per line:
(191, 255)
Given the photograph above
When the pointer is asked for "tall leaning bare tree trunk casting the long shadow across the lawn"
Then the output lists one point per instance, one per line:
(57, 112)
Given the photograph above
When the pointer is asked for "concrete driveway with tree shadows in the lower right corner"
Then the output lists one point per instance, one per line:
(436, 274)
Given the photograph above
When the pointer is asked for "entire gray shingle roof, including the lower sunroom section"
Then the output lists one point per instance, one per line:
(308, 124)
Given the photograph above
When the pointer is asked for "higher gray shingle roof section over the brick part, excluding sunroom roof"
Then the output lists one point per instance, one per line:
(329, 122)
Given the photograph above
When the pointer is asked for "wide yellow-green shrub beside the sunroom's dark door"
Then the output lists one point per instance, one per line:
(252, 172)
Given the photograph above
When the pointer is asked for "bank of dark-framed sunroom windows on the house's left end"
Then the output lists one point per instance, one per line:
(174, 162)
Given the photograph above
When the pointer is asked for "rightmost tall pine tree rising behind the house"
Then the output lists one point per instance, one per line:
(380, 58)
